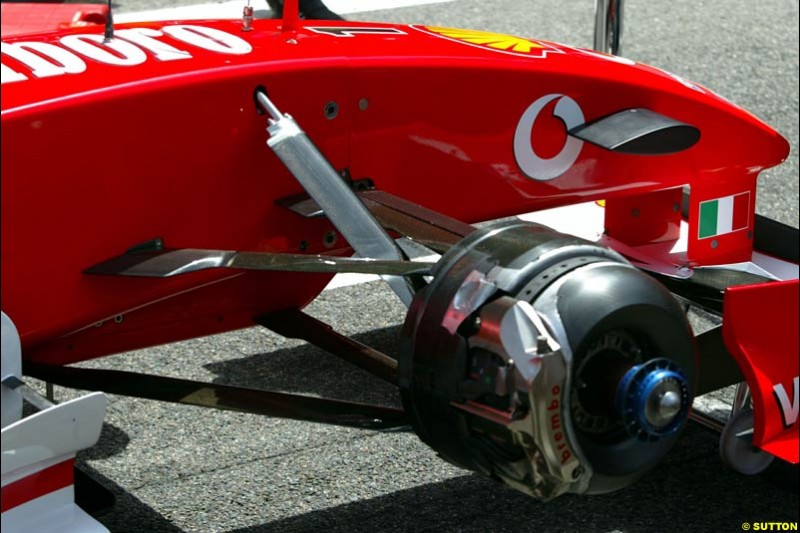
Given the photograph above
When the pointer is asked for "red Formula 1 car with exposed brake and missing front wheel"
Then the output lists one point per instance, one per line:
(236, 165)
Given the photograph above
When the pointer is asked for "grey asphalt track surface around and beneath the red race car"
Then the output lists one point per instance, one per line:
(176, 468)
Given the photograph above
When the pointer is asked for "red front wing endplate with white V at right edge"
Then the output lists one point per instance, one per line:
(760, 331)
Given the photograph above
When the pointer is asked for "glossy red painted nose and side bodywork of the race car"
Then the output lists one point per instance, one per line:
(97, 161)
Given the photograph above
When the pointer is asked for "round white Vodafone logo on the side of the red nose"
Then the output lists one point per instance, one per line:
(540, 168)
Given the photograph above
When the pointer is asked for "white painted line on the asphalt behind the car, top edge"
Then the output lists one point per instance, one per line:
(233, 9)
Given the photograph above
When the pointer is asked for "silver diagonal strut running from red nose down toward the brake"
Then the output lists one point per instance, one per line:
(341, 205)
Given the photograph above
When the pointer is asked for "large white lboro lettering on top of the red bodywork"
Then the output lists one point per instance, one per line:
(129, 47)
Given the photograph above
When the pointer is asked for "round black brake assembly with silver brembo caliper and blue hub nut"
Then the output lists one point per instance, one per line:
(546, 362)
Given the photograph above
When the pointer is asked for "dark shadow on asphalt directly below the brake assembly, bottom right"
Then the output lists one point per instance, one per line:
(689, 491)
